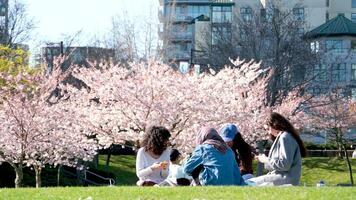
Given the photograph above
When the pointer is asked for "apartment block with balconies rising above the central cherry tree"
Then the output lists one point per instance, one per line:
(187, 27)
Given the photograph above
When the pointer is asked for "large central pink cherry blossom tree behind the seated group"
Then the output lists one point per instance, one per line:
(122, 102)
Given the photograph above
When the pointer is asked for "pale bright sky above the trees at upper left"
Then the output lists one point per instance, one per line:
(56, 18)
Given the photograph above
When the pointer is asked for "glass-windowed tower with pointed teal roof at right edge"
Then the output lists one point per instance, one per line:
(335, 41)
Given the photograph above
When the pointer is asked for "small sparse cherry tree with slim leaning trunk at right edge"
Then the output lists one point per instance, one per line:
(335, 114)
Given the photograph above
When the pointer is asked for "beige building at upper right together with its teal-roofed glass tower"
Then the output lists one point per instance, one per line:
(330, 26)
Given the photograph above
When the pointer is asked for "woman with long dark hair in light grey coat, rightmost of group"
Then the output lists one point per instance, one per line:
(284, 160)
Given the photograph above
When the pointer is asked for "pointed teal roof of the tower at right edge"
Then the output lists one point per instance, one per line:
(338, 26)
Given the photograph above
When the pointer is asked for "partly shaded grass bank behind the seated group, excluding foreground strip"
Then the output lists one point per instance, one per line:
(331, 170)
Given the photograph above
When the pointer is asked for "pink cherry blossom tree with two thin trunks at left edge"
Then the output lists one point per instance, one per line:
(37, 129)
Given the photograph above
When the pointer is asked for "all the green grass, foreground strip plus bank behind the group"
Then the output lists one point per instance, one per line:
(331, 170)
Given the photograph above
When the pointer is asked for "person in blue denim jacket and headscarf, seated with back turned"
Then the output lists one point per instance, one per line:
(213, 161)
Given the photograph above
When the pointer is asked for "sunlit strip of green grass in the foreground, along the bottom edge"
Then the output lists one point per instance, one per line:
(94, 193)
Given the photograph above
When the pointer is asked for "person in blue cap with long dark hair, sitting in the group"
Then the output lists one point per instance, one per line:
(243, 154)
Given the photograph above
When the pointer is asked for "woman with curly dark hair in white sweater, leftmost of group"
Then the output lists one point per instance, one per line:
(153, 157)
